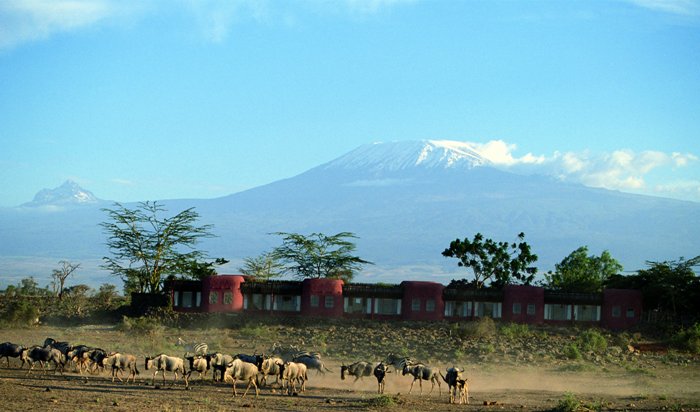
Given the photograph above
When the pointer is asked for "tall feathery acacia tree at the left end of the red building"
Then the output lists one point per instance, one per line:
(147, 247)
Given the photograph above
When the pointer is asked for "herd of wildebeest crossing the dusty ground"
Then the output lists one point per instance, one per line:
(289, 366)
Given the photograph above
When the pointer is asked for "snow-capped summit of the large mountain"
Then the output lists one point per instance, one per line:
(397, 156)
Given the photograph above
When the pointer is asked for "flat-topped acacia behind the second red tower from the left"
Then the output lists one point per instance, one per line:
(319, 256)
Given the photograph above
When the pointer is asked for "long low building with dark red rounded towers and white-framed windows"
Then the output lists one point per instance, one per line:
(409, 300)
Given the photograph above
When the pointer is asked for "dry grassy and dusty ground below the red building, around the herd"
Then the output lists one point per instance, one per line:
(509, 367)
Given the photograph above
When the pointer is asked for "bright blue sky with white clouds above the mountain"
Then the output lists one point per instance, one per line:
(152, 100)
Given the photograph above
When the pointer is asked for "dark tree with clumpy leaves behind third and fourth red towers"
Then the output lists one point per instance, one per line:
(501, 262)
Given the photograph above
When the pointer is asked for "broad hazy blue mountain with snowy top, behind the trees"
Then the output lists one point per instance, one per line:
(405, 201)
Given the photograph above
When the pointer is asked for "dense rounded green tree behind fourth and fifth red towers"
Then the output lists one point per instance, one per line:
(580, 272)
